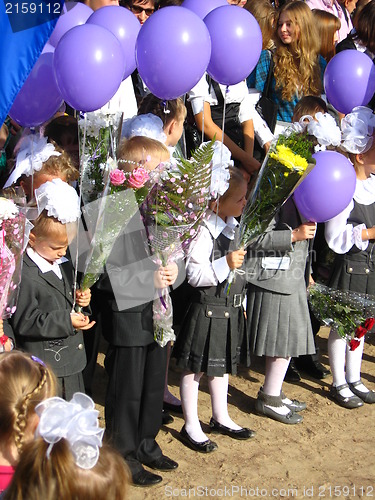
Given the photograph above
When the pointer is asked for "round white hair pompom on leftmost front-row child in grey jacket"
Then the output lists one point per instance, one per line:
(59, 200)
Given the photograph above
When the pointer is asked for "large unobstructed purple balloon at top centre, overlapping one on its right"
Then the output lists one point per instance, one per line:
(172, 51)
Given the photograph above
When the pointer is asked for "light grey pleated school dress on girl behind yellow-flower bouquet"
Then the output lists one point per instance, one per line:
(276, 270)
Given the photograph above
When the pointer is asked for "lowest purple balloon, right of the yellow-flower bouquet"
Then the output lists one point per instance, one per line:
(327, 189)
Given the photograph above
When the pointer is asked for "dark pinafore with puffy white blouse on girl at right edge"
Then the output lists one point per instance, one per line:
(354, 265)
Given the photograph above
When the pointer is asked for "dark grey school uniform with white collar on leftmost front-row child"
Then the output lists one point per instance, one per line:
(42, 324)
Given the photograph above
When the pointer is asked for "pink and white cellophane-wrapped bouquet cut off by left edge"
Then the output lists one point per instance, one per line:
(12, 245)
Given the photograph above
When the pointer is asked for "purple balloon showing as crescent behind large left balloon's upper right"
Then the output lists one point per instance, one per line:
(124, 25)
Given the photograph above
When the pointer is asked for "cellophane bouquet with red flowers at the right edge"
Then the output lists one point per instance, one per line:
(351, 314)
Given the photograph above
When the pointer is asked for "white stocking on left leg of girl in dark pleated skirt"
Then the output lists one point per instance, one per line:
(189, 387)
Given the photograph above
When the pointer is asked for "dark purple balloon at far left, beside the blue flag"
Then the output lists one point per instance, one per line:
(39, 97)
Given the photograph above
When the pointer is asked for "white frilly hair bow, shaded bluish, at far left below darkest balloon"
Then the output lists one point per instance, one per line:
(32, 153)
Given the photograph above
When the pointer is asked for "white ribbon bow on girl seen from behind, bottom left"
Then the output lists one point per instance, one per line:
(77, 422)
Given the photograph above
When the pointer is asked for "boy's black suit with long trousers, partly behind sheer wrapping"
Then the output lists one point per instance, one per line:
(135, 363)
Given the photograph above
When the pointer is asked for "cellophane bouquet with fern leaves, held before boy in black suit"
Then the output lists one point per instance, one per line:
(172, 213)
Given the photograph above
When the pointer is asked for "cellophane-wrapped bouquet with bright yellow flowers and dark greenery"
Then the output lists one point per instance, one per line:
(286, 164)
